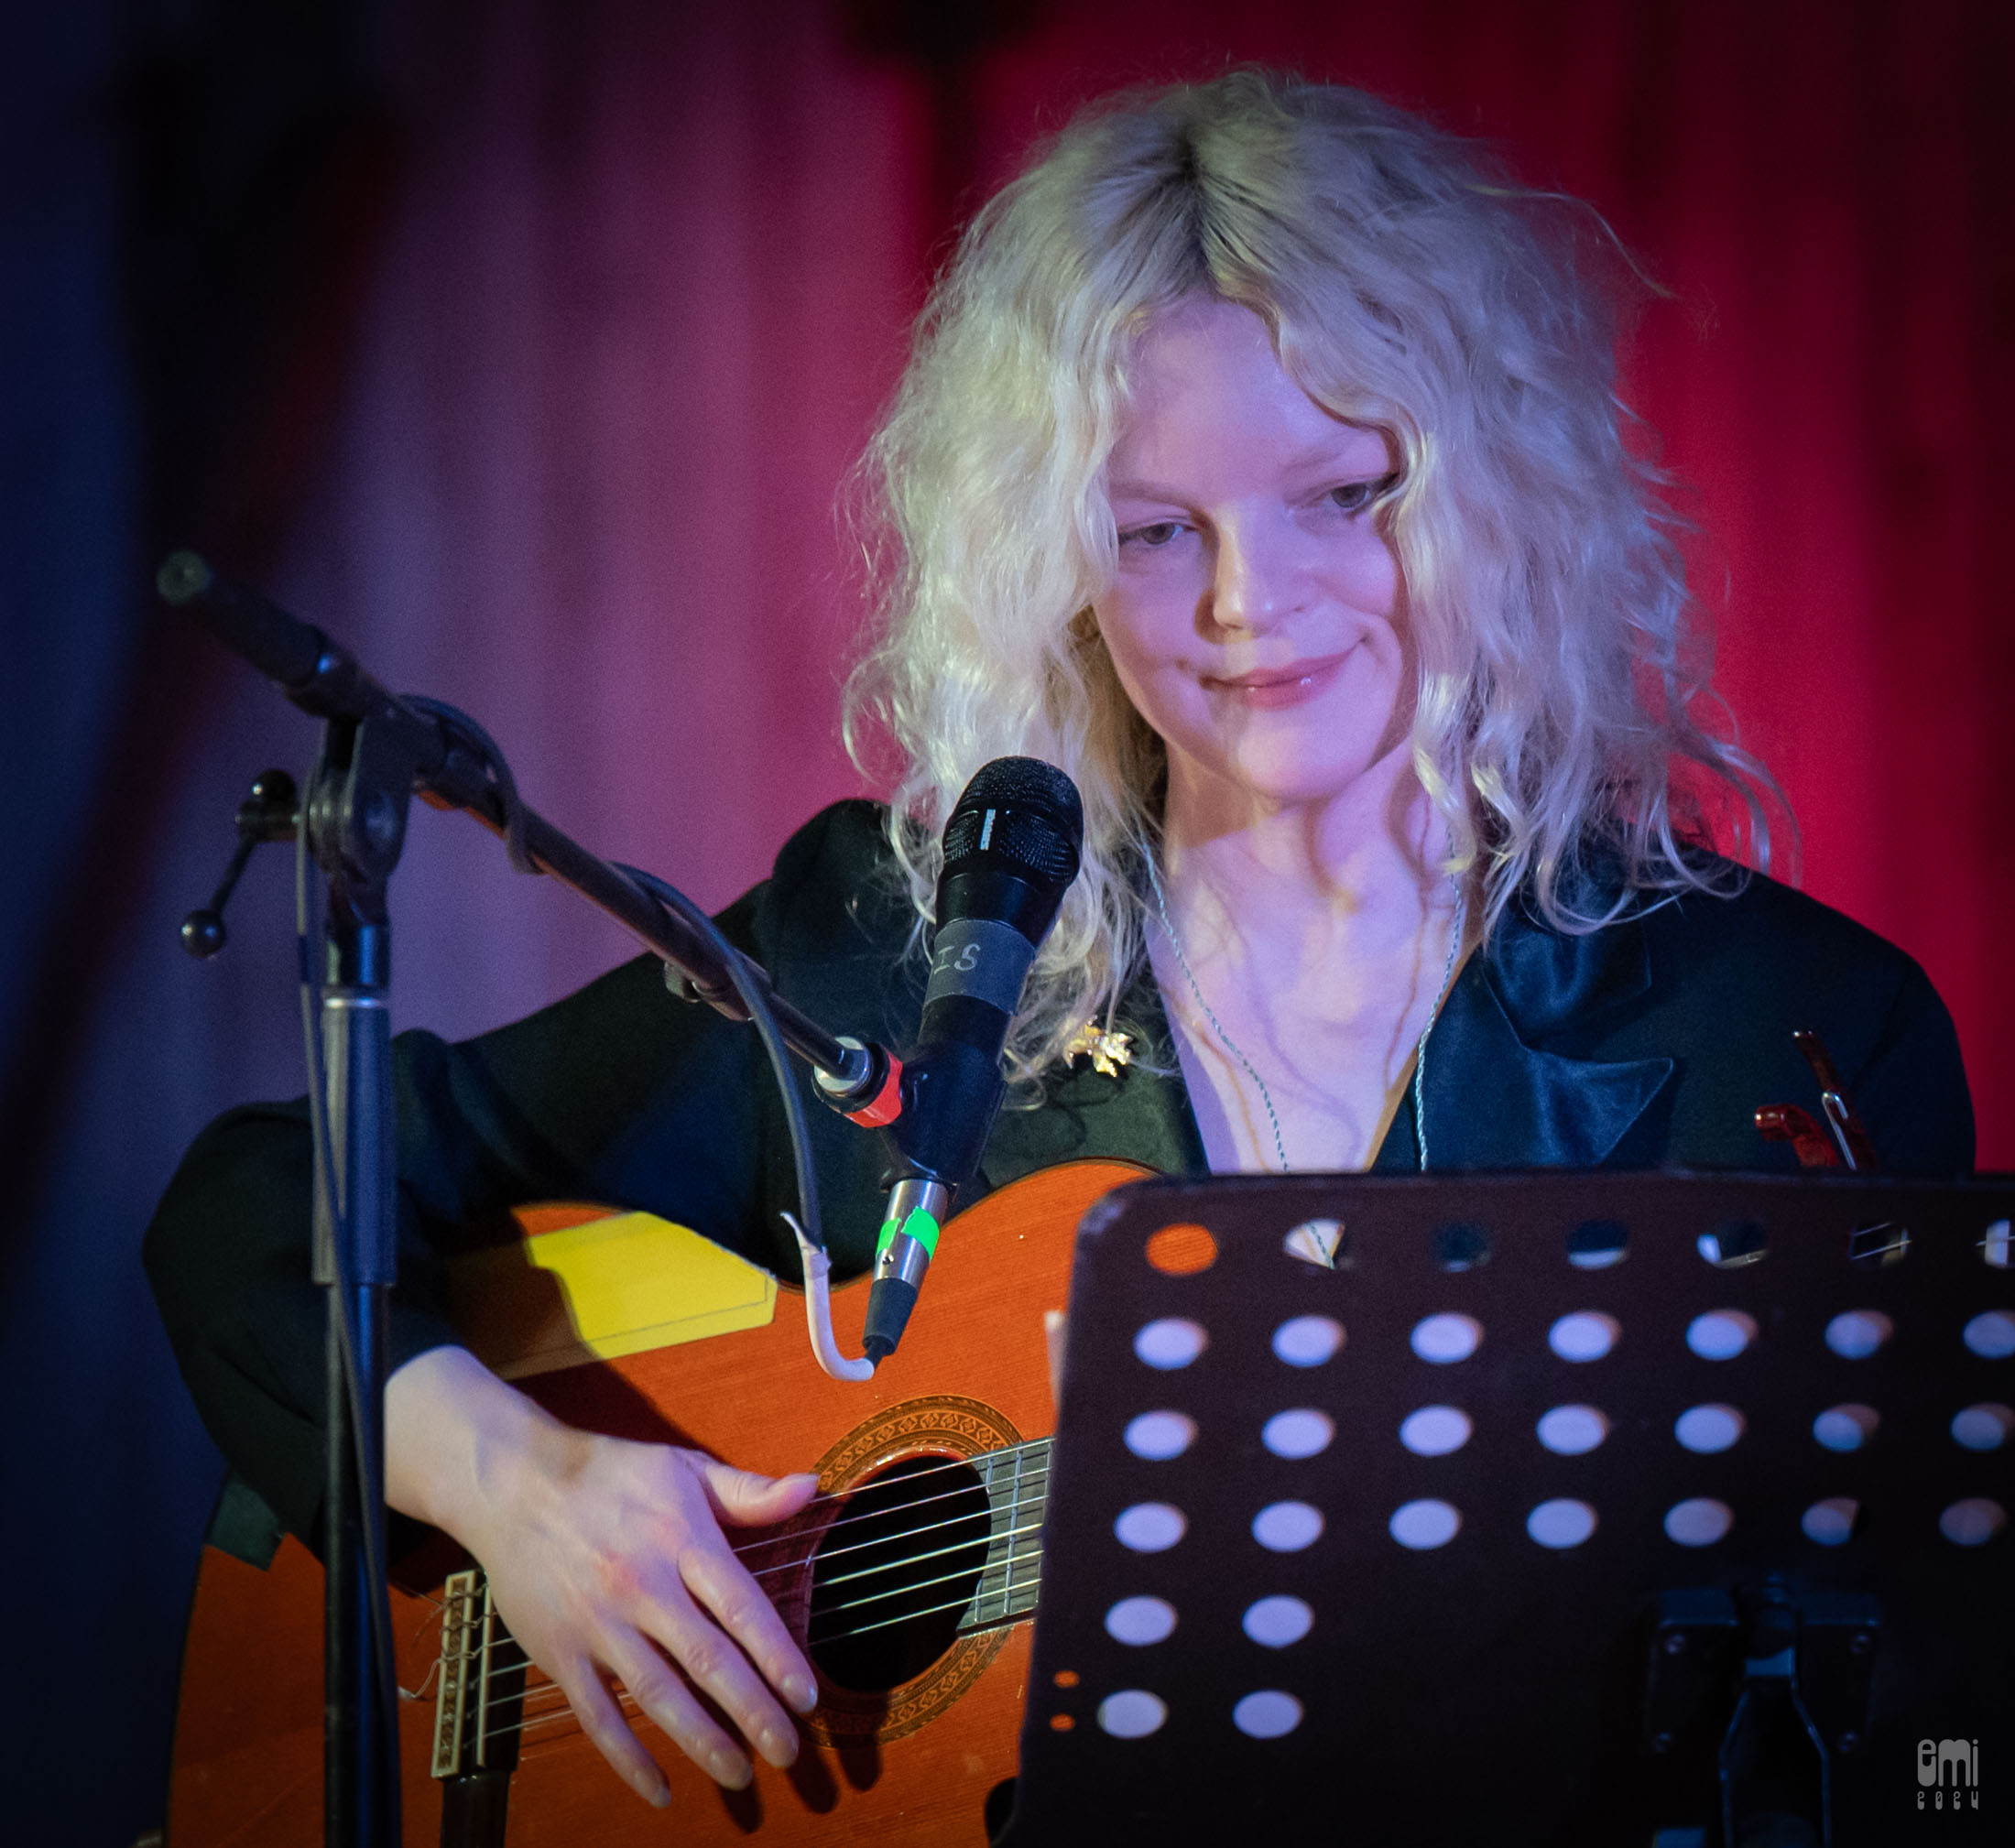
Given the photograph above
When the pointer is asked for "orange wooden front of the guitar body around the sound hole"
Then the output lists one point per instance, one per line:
(902, 1764)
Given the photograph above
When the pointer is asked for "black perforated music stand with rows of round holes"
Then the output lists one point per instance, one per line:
(1841, 1658)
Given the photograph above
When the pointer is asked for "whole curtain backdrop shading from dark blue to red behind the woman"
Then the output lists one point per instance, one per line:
(527, 346)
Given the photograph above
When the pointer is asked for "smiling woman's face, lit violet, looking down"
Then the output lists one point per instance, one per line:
(1258, 614)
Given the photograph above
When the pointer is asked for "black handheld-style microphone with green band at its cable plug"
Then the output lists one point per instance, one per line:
(1011, 853)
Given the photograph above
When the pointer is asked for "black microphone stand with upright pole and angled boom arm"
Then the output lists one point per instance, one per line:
(378, 753)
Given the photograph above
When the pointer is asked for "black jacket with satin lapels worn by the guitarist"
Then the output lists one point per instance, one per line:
(1645, 1045)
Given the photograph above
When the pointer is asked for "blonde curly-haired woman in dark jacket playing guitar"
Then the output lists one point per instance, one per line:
(1260, 467)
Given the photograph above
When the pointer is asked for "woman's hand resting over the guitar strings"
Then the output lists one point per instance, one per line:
(608, 1557)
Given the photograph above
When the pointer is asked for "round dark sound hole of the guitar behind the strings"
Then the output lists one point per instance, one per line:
(898, 1571)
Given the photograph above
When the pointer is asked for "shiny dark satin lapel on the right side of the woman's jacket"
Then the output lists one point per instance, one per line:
(1496, 1097)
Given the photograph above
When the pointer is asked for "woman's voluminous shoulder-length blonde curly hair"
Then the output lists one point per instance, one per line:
(1409, 287)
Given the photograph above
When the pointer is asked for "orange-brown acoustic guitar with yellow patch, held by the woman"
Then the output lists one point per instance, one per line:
(912, 1581)
